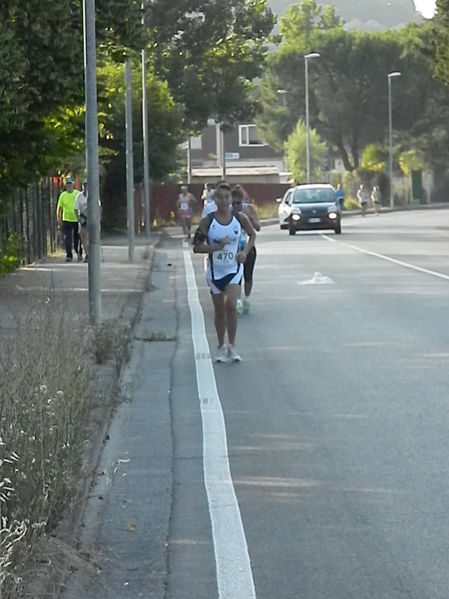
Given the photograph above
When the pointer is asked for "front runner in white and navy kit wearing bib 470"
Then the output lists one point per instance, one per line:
(218, 236)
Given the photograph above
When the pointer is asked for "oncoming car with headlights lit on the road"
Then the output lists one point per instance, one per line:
(307, 207)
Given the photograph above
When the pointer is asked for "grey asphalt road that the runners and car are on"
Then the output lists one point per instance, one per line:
(318, 467)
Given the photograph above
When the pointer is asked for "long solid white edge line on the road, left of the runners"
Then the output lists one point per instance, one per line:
(234, 574)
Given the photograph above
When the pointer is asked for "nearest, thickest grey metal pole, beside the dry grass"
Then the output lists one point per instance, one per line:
(93, 178)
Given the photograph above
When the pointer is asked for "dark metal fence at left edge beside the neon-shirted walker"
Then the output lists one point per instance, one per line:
(30, 216)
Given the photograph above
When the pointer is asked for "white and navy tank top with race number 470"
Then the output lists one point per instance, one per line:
(223, 262)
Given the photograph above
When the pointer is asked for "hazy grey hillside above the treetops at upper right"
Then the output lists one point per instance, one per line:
(365, 14)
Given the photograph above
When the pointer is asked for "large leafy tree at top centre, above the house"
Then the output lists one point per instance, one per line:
(210, 52)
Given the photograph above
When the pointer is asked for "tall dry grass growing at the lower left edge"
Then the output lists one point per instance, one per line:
(44, 407)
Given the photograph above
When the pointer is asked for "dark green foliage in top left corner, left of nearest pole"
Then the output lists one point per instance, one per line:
(41, 72)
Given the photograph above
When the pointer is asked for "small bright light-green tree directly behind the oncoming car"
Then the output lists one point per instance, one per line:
(295, 147)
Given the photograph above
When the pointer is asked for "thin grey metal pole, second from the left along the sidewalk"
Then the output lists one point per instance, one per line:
(129, 163)
